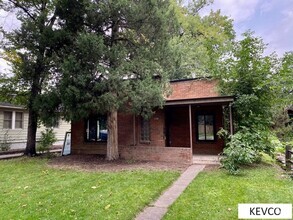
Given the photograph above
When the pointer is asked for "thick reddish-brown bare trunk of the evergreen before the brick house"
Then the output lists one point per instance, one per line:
(112, 140)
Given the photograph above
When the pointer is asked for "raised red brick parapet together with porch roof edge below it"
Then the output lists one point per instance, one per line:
(196, 91)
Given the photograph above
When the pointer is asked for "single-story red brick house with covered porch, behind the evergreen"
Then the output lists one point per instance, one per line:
(187, 125)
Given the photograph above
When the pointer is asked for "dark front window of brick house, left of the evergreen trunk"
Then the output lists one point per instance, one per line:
(96, 129)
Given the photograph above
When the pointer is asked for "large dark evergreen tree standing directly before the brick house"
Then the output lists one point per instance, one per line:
(119, 60)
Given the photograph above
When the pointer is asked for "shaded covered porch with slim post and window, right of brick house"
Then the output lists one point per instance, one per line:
(194, 123)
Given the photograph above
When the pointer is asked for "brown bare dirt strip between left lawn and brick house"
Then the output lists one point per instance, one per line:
(99, 163)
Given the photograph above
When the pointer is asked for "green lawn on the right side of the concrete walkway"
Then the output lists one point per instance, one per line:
(216, 194)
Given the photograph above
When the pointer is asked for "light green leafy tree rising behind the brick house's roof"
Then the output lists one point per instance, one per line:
(203, 41)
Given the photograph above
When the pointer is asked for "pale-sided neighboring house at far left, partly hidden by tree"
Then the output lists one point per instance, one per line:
(14, 123)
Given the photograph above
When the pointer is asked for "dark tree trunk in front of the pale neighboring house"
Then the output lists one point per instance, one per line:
(30, 149)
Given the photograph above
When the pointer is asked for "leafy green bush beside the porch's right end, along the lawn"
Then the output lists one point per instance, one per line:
(245, 147)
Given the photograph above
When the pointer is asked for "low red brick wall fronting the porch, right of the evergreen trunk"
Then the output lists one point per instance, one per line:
(154, 153)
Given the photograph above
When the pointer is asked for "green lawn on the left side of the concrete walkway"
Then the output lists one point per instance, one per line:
(29, 189)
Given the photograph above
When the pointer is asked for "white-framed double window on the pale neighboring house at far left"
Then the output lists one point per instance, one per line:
(13, 120)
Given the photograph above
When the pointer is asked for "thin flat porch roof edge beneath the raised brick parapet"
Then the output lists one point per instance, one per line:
(209, 100)
